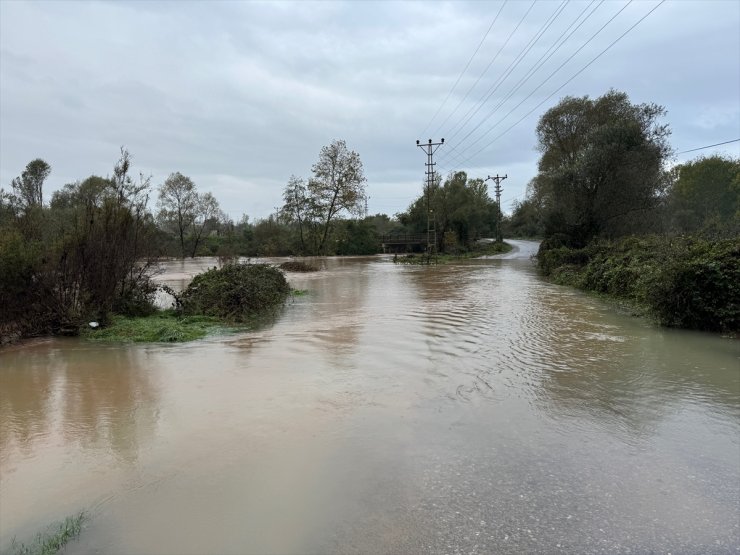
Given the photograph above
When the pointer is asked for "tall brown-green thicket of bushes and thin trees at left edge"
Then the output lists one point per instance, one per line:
(85, 255)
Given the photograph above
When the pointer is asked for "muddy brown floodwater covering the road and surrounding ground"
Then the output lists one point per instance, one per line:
(468, 408)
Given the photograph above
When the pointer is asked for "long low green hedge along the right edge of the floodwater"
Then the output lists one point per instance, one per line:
(683, 282)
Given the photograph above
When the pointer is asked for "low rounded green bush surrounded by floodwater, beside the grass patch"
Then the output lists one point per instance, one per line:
(235, 292)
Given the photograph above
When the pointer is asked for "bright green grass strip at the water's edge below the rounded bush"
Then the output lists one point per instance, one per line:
(162, 327)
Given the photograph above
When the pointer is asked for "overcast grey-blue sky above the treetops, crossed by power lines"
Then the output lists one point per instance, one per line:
(240, 95)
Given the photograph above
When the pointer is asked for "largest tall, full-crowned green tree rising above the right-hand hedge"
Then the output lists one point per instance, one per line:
(601, 165)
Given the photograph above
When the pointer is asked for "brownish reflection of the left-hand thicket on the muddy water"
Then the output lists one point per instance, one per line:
(55, 388)
